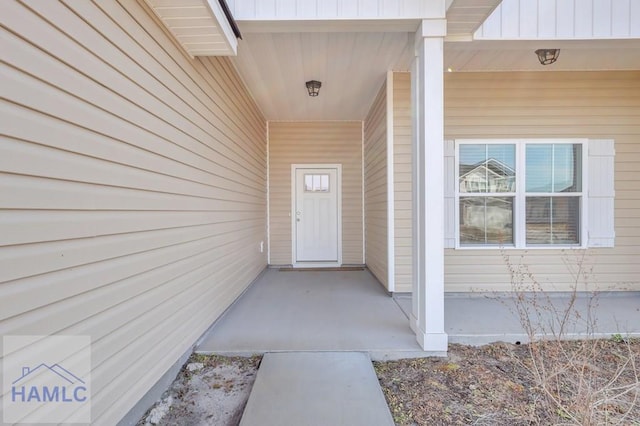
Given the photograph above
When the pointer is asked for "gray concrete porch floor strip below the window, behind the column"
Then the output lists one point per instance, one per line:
(477, 319)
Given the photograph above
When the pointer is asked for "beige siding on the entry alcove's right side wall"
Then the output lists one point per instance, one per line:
(375, 187)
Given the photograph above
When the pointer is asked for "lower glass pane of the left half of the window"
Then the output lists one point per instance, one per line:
(486, 220)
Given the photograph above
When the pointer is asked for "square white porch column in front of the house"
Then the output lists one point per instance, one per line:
(428, 191)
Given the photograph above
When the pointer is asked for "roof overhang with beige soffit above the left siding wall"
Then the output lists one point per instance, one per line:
(202, 27)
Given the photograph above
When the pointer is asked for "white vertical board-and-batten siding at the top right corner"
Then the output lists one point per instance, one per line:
(561, 20)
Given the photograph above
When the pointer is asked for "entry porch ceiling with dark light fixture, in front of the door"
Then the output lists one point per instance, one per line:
(351, 67)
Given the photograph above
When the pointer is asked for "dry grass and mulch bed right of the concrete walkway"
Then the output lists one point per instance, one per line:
(494, 385)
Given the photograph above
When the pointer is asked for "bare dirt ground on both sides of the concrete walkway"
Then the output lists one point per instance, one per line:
(591, 382)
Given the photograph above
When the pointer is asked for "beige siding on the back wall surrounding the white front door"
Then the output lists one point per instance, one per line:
(315, 142)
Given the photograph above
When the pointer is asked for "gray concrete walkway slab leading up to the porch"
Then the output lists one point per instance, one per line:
(316, 388)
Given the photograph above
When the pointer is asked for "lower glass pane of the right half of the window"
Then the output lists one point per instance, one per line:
(553, 220)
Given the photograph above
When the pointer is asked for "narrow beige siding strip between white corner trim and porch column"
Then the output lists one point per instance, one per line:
(402, 180)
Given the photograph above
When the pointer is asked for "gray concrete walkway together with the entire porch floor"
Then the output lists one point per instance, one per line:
(319, 331)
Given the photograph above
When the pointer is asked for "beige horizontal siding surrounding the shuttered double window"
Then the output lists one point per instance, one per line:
(597, 105)
